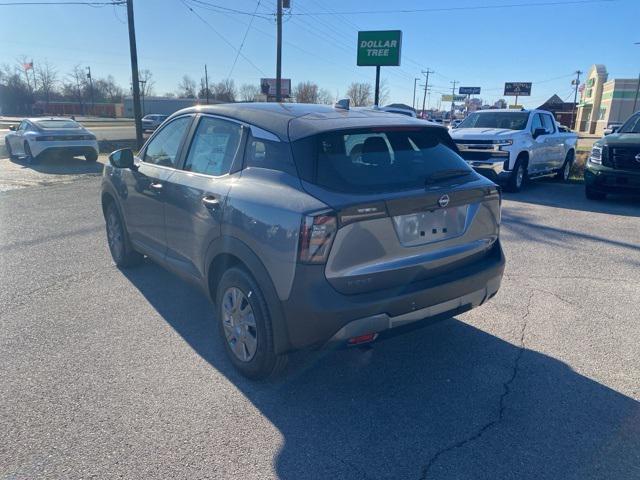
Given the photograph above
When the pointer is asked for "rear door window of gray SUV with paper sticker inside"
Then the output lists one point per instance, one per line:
(214, 146)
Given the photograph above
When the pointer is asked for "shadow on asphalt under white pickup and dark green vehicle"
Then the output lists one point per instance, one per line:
(571, 196)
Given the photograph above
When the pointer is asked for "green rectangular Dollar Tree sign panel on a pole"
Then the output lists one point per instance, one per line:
(379, 48)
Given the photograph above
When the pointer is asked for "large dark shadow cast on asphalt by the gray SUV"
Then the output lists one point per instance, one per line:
(446, 401)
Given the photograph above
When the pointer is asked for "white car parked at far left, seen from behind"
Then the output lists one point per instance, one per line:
(34, 137)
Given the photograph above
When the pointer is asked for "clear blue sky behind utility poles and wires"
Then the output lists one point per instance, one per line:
(478, 47)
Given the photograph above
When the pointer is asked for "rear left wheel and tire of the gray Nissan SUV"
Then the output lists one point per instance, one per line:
(245, 326)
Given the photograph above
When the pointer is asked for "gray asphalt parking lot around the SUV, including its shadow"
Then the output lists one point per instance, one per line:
(120, 374)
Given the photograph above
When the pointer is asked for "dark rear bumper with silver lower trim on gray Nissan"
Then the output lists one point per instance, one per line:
(315, 313)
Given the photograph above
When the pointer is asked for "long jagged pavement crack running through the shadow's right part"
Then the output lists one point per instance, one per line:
(501, 404)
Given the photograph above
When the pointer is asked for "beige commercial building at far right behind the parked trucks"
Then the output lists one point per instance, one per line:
(605, 101)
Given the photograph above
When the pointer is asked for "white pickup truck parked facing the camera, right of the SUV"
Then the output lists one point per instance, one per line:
(510, 146)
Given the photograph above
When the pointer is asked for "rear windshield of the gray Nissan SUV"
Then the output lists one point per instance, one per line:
(378, 160)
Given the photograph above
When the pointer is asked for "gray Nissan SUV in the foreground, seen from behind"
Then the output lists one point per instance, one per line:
(306, 224)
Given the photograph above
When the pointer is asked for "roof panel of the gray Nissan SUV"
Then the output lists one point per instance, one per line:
(292, 121)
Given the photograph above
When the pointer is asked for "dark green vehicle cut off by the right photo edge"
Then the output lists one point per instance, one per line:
(614, 163)
